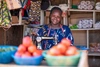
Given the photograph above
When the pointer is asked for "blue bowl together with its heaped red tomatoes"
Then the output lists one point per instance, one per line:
(27, 53)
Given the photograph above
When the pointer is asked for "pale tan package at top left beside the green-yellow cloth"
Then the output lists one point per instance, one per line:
(13, 4)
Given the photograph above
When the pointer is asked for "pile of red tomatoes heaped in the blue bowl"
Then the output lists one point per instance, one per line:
(27, 48)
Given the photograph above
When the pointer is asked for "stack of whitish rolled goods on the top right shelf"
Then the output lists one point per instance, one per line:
(86, 5)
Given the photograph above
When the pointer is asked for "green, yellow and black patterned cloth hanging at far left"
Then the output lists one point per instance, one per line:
(5, 16)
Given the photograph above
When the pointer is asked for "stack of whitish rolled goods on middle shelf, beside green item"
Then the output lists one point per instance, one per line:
(85, 23)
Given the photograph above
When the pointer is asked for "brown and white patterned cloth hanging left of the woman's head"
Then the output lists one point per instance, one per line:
(34, 11)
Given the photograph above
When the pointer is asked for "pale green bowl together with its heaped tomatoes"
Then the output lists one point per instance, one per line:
(62, 54)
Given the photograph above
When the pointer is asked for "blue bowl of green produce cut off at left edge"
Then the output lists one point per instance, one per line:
(6, 52)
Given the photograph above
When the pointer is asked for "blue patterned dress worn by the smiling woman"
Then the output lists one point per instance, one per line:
(62, 32)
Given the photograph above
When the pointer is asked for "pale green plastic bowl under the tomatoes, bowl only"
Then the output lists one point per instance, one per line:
(62, 60)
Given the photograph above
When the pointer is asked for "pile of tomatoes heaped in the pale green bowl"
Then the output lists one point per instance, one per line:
(63, 48)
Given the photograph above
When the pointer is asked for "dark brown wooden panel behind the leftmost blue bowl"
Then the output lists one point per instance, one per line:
(13, 35)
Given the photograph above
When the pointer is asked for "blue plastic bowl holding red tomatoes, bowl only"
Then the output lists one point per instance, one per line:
(28, 60)
